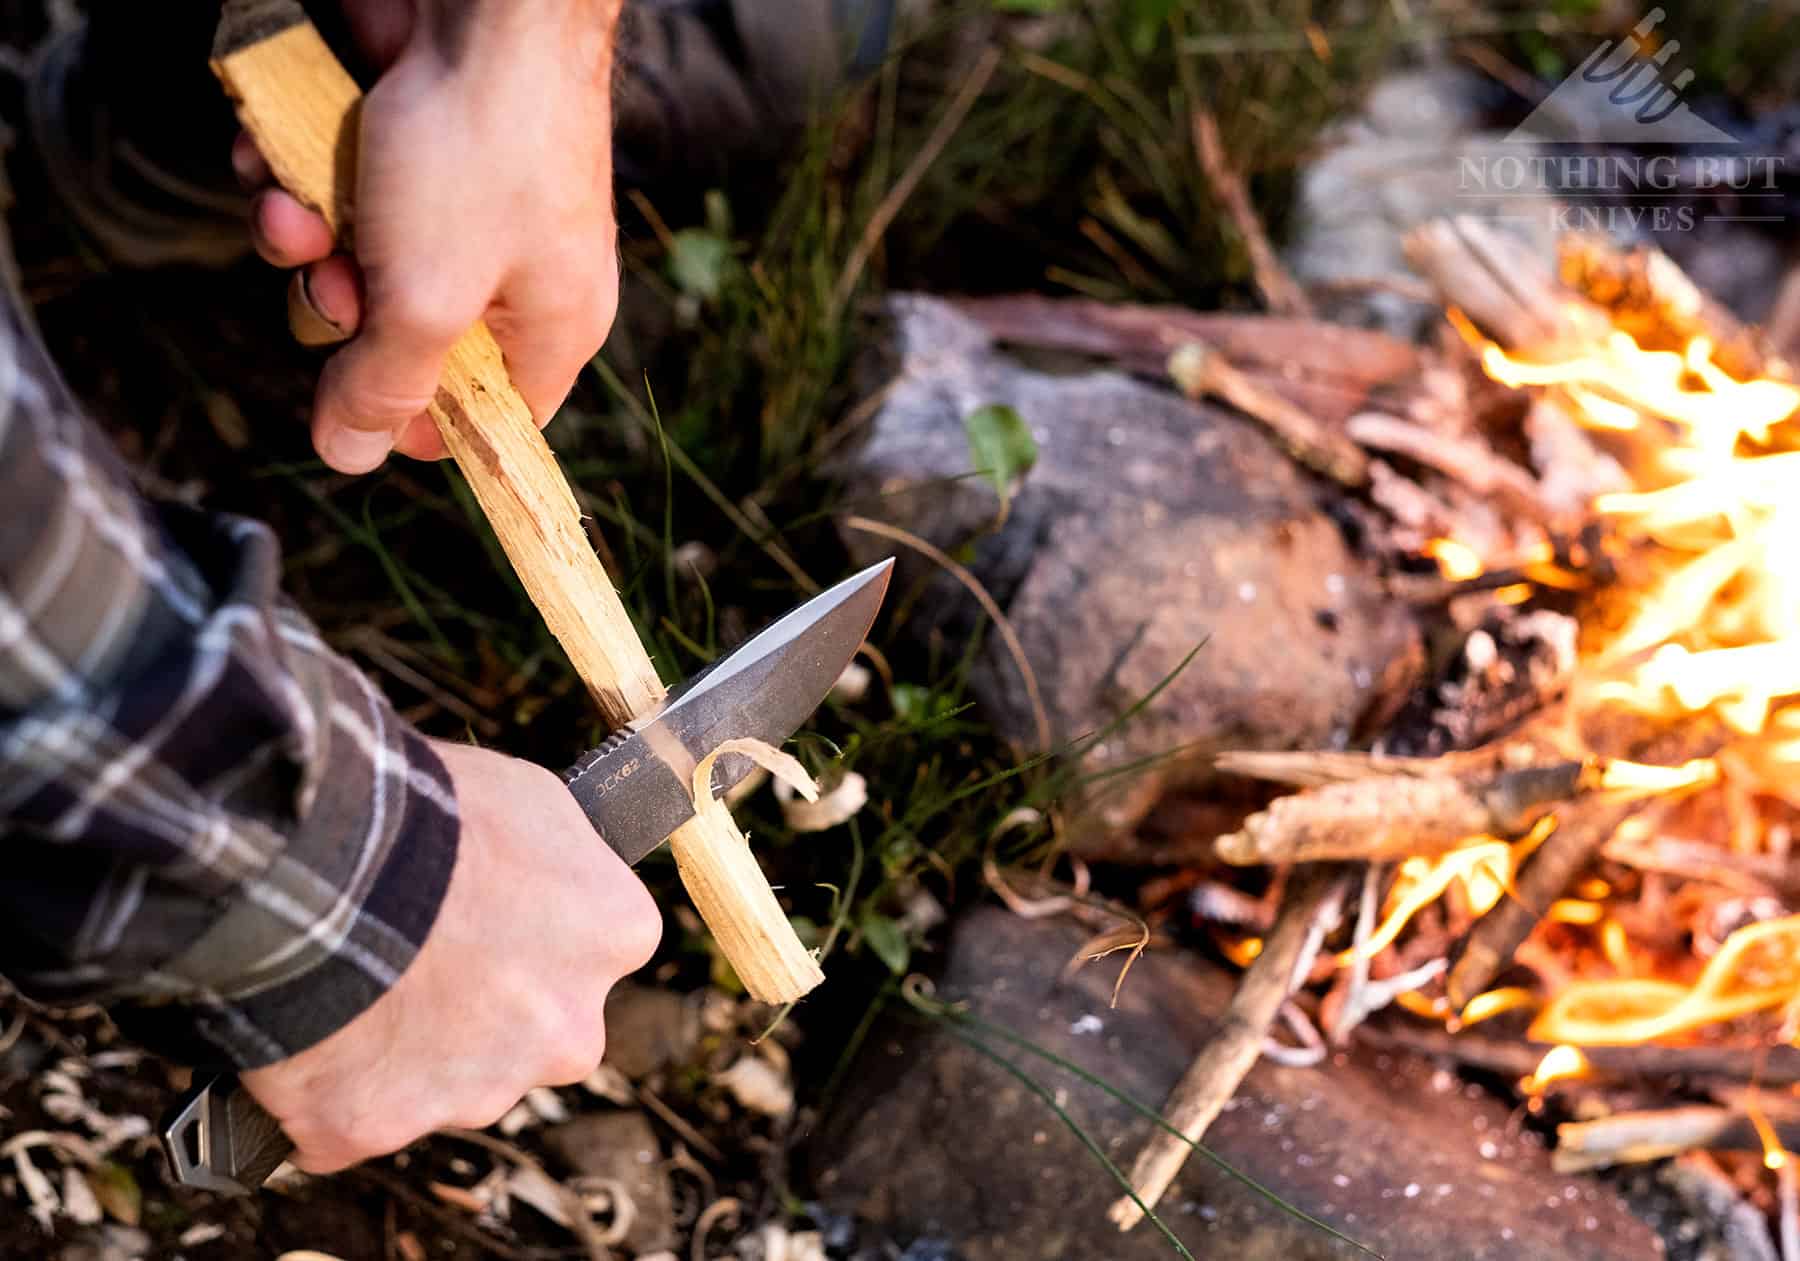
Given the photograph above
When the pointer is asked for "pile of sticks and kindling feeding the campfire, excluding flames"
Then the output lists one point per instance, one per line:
(1444, 460)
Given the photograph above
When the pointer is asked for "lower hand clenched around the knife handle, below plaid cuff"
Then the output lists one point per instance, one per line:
(507, 994)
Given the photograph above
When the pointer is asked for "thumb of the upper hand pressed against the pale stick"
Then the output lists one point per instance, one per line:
(382, 380)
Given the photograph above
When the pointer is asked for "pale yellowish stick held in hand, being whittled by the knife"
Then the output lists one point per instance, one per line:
(303, 111)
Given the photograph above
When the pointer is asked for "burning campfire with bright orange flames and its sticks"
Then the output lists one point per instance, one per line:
(1587, 884)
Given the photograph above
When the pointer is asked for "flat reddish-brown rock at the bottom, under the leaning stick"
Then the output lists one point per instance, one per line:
(1399, 1156)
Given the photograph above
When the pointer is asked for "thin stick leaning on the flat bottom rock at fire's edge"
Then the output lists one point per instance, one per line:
(1216, 1073)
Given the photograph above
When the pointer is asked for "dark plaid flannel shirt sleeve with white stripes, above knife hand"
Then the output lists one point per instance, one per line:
(210, 821)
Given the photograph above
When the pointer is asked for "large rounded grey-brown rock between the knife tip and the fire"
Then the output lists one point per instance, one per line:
(1147, 528)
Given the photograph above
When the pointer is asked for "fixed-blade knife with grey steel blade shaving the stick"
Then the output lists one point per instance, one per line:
(636, 789)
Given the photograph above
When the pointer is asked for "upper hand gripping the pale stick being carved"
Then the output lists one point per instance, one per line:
(485, 192)
